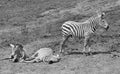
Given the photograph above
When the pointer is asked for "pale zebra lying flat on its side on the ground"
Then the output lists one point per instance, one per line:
(43, 55)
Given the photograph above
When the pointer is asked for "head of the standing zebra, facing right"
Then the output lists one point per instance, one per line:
(102, 20)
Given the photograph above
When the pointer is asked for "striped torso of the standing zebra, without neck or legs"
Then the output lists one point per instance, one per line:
(75, 28)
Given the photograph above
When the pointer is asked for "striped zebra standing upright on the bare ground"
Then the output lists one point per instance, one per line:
(83, 29)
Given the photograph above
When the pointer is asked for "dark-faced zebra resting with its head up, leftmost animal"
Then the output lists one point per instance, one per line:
(18, 53)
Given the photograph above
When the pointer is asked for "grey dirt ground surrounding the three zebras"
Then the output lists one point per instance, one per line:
(36, 24)
